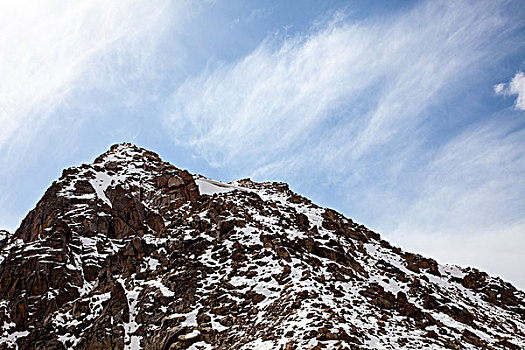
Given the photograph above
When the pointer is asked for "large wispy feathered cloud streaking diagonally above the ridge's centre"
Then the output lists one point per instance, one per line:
(375, 78)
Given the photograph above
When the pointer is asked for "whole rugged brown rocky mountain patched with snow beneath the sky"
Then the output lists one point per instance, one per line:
(131, 252)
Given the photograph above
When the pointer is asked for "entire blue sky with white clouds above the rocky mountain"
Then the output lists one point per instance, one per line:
(407, 116)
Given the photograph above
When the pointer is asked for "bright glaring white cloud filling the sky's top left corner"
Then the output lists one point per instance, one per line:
(50, 48)
